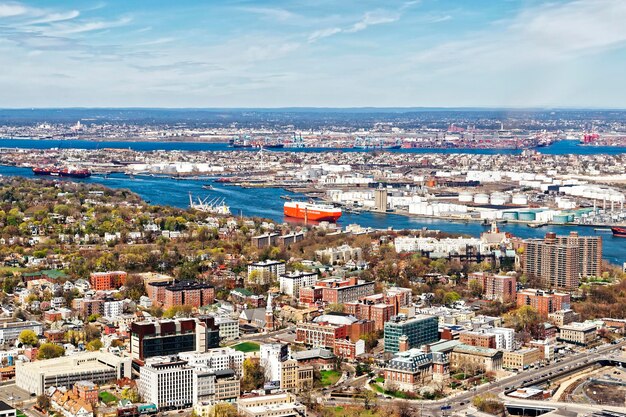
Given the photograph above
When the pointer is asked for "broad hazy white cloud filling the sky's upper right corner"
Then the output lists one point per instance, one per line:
(549, 33)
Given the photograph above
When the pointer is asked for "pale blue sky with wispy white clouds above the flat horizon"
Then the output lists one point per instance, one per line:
(313, 53)
